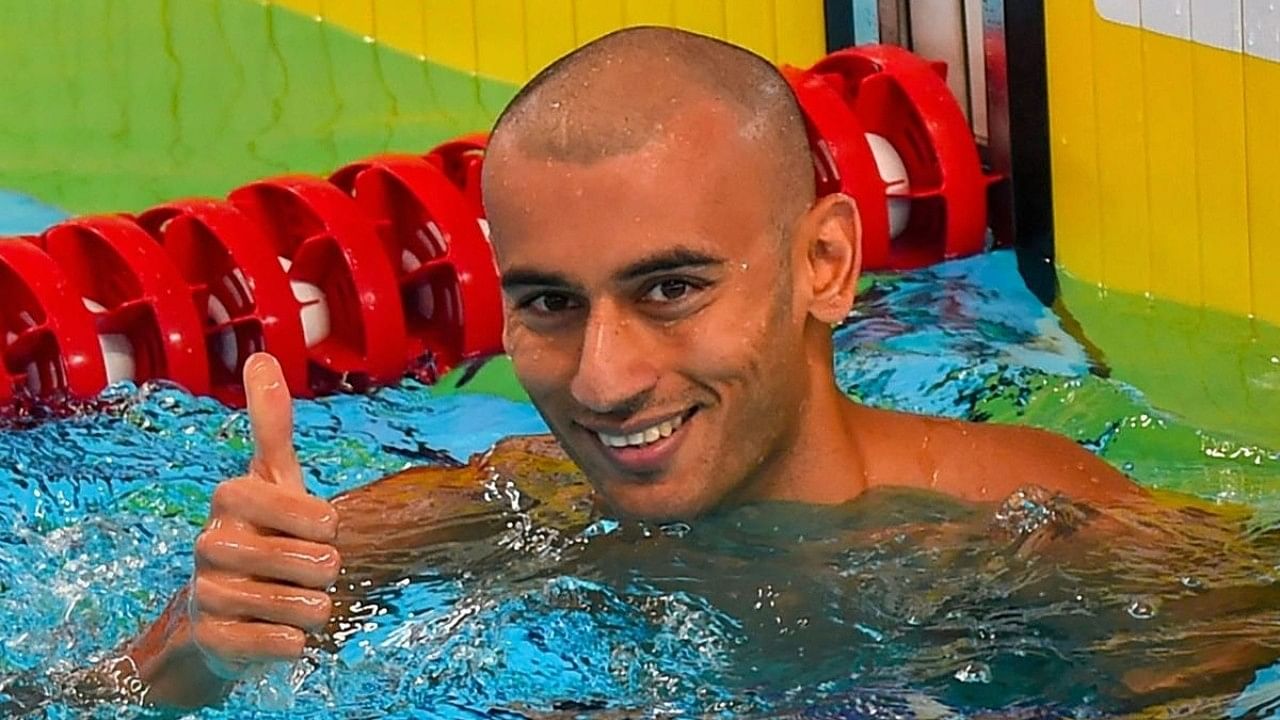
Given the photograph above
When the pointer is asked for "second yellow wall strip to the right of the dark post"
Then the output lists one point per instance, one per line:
(1122, 136)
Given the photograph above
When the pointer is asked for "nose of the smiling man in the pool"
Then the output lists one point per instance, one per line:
(615, 370)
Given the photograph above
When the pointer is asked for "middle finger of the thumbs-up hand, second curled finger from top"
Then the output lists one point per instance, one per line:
(303, 563)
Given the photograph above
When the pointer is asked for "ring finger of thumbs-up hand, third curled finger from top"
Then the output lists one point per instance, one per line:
(255, 600)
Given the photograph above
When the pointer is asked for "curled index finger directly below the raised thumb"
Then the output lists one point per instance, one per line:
(269, 508)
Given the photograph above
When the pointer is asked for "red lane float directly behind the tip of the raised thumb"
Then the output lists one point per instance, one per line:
(236, 281)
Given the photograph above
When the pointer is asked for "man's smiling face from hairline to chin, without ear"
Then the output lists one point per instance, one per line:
(652, 313)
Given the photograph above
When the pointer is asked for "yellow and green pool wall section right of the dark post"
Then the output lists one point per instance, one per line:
(1167, 198)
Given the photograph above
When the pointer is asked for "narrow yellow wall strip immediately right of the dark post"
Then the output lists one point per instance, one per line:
(1073, 135)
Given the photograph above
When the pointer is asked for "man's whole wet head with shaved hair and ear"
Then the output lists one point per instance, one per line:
(670, 279)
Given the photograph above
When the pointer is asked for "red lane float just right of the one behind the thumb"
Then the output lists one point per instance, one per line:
(350, 300)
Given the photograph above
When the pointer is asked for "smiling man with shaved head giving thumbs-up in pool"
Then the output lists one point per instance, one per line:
(671, 282)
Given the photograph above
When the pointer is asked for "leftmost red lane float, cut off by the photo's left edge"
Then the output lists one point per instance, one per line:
(48, 339)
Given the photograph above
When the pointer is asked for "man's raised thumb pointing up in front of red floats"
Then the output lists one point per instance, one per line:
(271, 416)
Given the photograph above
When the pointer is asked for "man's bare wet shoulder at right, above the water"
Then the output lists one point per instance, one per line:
(988, 462)
